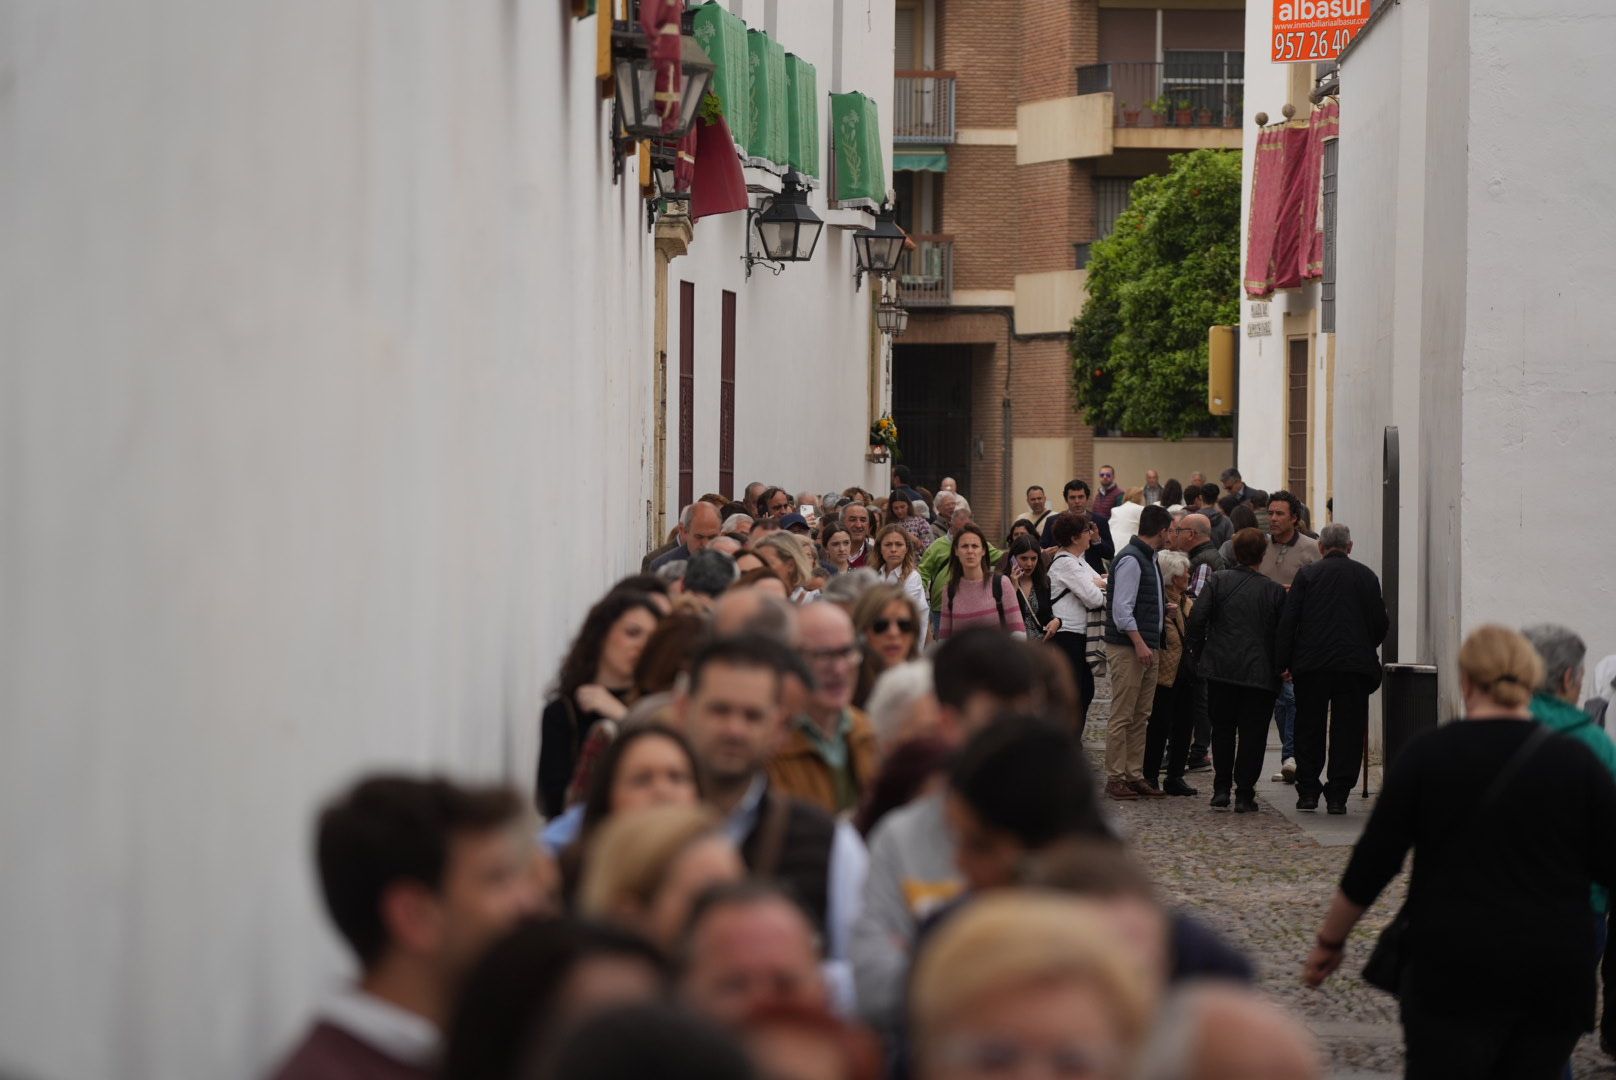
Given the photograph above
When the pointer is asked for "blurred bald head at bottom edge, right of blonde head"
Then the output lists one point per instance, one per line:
(1227, 1032)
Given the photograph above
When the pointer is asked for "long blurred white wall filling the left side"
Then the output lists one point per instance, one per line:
(301, 308)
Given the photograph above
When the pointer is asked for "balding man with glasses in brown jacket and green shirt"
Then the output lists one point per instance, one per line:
(828, 756)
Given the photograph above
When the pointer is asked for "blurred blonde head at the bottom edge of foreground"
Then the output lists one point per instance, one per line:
(1022, 979)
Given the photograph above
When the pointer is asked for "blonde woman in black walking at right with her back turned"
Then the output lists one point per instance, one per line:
(1512, 825)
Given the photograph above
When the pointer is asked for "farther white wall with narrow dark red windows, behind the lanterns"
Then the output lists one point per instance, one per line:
(802, 339)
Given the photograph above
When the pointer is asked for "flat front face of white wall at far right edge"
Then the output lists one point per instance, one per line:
(1539, 374)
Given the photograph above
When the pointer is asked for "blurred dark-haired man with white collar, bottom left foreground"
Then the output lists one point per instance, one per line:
(419, 877)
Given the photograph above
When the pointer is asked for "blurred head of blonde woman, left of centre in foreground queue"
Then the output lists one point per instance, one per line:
(646, 869)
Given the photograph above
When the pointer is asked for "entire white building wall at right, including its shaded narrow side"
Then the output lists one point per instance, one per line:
(1475, 243)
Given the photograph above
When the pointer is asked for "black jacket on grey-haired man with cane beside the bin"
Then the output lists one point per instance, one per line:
(1334, 620)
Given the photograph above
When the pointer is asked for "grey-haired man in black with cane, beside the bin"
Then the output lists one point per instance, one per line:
(1331, 631)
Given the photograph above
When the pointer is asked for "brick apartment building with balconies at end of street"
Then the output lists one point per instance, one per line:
(1019, 129)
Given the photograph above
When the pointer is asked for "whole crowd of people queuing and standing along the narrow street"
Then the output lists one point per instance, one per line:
(814, 804)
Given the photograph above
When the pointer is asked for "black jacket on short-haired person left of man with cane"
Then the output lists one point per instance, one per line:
(1232, 630)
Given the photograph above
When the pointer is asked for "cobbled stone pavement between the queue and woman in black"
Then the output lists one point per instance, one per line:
(1265, 882)
